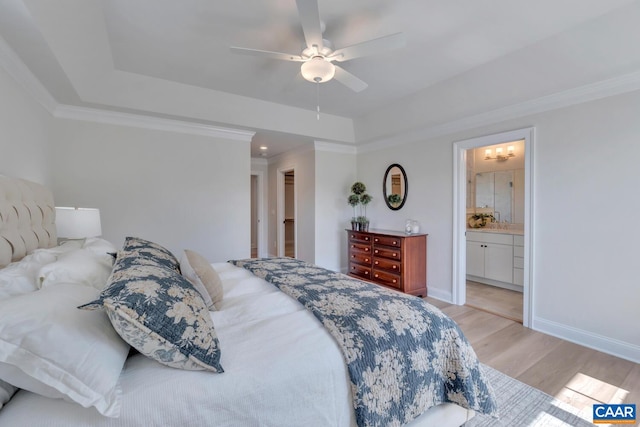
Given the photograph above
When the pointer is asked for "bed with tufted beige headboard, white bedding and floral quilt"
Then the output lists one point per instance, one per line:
(268, 355)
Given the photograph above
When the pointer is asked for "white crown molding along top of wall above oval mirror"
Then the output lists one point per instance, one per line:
(590, 92)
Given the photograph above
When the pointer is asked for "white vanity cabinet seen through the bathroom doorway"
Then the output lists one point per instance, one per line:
(490, 258)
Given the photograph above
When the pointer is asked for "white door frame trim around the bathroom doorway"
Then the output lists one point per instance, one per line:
(459, 293)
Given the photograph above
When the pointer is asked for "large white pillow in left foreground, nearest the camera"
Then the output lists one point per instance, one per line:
(51, 348)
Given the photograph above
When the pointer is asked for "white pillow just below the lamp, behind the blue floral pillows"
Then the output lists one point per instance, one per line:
(80, 266)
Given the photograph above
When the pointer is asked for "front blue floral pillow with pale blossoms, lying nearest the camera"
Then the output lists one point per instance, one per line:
(161, 314)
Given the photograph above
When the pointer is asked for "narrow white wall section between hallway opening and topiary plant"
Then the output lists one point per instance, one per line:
(335, 172)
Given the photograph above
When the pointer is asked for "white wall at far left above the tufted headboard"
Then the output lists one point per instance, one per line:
(24, 130)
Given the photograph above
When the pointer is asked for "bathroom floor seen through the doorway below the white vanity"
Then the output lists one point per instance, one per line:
(504, 302)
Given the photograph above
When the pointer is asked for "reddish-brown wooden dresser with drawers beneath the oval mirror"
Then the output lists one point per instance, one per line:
(389, 258)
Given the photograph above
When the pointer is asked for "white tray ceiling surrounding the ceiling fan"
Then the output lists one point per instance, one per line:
(171, 59)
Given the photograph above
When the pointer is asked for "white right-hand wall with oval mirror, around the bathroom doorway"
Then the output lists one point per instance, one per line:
(586, 204)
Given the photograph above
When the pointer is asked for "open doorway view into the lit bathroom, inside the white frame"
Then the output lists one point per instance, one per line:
(495, 228)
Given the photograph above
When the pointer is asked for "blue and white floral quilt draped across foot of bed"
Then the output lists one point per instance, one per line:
(403, 355)
